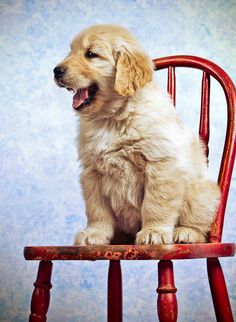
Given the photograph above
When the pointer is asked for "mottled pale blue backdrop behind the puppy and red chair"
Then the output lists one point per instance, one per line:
(40, 197)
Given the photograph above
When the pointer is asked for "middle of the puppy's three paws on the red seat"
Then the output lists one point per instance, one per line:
(154, 236)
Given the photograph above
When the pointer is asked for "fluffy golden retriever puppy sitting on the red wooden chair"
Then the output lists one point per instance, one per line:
(144, 173)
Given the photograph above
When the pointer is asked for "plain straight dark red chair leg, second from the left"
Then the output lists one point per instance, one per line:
(114, 307)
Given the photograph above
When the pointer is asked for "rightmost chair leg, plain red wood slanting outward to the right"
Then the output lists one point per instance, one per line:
(219, 291)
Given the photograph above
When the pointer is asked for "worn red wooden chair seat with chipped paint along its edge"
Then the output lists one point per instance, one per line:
(130, 252)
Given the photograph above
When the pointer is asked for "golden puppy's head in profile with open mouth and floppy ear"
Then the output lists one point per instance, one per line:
(105, 65)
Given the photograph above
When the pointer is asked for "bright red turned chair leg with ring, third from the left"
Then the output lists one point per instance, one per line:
(167, 308)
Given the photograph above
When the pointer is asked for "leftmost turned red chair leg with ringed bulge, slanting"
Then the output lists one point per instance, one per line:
(41, 294)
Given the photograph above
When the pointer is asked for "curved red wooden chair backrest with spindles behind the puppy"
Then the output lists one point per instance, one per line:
(227, 161)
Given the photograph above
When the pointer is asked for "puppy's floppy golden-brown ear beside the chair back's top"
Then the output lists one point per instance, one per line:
(133, 71)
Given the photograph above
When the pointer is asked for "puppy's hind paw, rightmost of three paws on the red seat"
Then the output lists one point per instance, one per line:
(188, 235)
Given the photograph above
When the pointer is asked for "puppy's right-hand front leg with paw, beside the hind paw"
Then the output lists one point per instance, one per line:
(163, 194)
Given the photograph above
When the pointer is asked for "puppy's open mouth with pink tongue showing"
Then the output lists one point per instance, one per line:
(84, 96)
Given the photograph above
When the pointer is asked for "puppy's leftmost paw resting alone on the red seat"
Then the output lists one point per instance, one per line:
(91, 237)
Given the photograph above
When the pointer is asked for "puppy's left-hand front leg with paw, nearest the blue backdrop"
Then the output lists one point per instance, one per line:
(100, 226)
